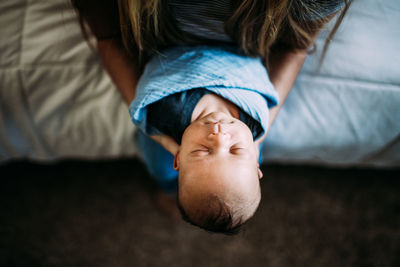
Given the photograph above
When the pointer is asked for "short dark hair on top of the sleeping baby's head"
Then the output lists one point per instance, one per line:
(219, 220)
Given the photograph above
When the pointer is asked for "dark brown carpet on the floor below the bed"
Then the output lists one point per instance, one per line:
(101, 214)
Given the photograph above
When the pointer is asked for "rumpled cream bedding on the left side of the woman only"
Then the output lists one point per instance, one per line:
(56, 100)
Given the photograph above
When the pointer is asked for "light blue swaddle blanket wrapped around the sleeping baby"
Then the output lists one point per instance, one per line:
(221, 69)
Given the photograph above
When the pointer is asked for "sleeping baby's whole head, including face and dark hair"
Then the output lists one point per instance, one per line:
(219, 187)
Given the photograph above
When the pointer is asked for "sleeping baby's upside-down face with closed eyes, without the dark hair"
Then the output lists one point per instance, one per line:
(218, 156)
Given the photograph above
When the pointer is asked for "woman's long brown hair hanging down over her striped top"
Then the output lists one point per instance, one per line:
(255, 25)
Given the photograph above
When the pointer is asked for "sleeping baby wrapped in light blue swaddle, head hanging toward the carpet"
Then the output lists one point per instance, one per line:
(203, 112)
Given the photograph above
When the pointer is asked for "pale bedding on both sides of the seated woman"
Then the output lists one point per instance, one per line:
(56, 101)
